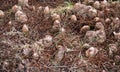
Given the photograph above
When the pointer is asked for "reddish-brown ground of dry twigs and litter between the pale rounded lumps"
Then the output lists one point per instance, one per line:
(12, 45)
